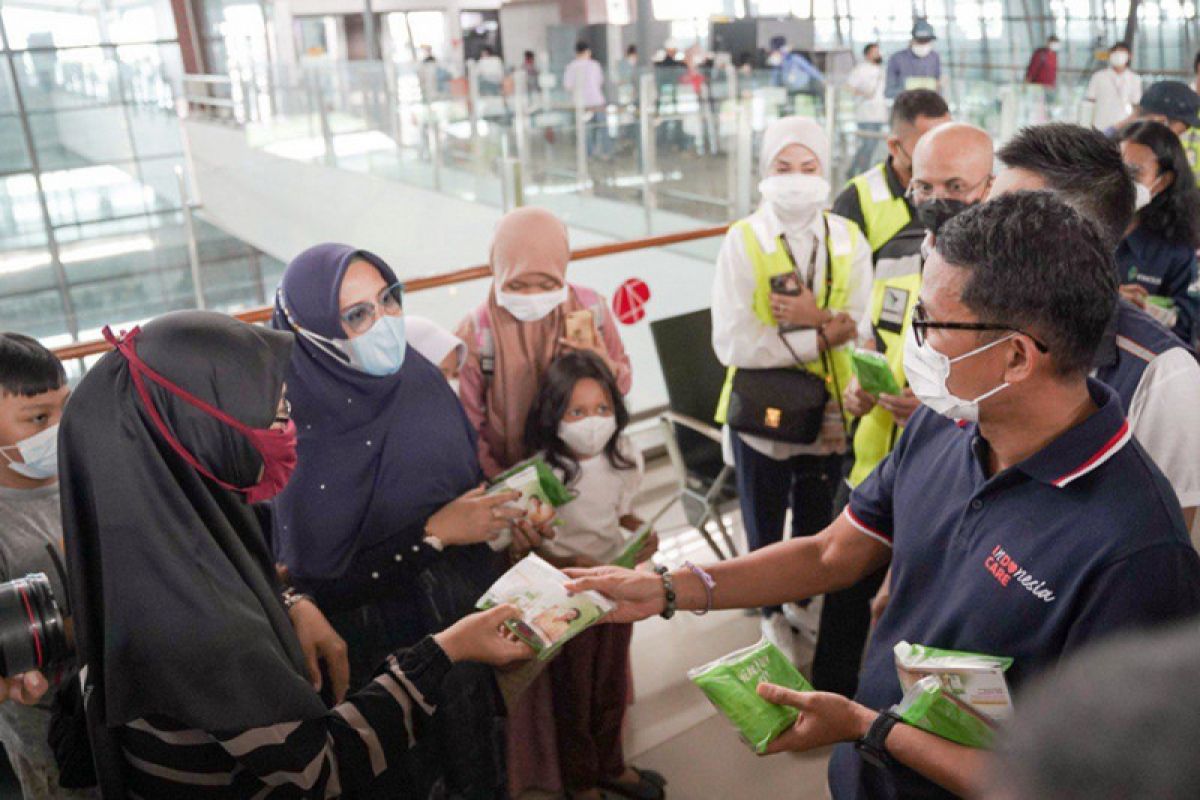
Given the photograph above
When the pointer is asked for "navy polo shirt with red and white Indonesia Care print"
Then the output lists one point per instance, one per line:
(1077, 543)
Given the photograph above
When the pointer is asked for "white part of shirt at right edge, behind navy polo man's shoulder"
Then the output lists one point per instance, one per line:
(1165, 417)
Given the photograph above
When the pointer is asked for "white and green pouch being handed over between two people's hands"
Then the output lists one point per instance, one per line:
(550, 617)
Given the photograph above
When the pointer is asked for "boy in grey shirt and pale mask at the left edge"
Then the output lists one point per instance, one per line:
(33, 394)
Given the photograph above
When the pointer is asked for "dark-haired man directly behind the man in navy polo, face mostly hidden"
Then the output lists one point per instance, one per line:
(1155, 375)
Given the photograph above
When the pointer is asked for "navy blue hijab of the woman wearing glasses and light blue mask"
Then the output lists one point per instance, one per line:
(379, 455)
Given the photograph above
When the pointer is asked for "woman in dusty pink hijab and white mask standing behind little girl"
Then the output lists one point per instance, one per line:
(523, 327)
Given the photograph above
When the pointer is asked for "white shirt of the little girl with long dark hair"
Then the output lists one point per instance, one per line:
(591, 522)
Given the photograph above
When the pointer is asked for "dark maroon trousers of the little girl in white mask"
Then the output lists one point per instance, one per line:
(591, 681)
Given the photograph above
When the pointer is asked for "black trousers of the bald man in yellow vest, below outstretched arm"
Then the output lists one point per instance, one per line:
(845, 625)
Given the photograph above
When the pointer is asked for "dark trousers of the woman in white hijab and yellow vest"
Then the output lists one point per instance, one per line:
(769, 489)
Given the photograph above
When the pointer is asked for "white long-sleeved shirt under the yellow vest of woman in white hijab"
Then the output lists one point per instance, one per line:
(742, 340)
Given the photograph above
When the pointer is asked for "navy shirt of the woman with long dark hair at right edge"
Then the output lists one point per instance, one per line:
(1163, 269)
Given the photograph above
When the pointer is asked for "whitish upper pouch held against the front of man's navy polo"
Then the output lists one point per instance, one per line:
(971, 678)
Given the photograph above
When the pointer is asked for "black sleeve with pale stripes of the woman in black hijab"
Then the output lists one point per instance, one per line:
(357, 742)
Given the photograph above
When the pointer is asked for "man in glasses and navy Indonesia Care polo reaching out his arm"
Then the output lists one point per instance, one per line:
(1021, 516)
